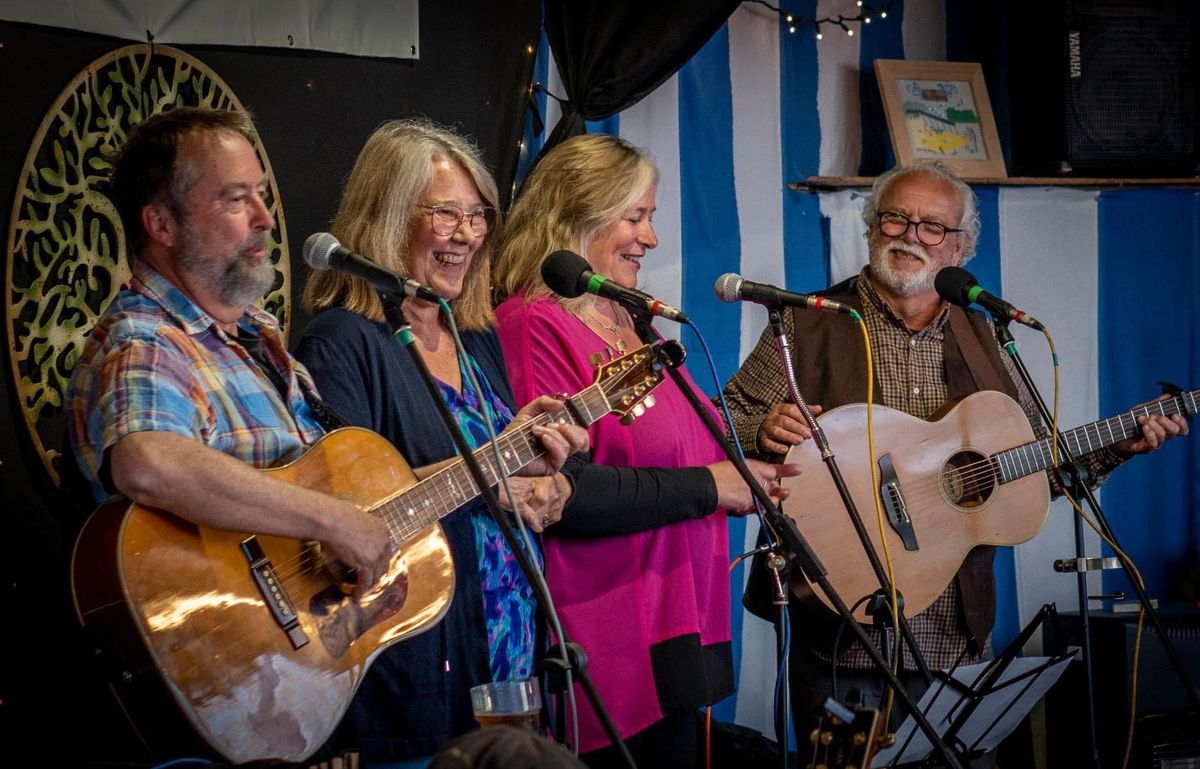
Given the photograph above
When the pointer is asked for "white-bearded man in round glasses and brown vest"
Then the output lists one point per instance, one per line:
(919, 220)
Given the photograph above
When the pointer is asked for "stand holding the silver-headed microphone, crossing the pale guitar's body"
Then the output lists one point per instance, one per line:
(880, 604)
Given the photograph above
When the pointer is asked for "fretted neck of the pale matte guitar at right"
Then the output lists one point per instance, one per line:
(1036, 456)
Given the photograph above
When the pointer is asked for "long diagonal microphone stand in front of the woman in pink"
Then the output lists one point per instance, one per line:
(797, 550)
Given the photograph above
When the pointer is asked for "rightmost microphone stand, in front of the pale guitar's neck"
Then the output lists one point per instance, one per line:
(1071, 474)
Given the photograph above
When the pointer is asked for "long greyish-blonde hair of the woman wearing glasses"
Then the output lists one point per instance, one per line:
(377, 214)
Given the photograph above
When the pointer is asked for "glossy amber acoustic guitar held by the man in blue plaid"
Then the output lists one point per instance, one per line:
(257, 640)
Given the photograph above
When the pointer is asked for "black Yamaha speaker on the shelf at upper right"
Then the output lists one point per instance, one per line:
(1106, 89)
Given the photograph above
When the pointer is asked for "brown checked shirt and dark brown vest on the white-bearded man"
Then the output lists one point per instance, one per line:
(916, 373)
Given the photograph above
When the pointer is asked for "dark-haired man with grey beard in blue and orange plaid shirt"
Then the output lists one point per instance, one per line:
(184, 387)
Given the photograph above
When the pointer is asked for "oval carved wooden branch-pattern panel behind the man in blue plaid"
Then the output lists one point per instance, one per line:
(67, 247)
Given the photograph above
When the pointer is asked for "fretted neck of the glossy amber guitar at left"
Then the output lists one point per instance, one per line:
(427, 503)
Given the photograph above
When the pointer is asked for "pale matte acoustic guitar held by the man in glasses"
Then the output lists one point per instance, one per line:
(974, 474)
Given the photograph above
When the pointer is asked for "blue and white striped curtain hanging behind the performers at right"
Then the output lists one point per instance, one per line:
(1114, 274)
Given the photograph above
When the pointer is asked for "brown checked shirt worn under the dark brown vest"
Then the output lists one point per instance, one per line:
(910, 379)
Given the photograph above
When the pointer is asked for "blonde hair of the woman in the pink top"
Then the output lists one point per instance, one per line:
(579, 188)
